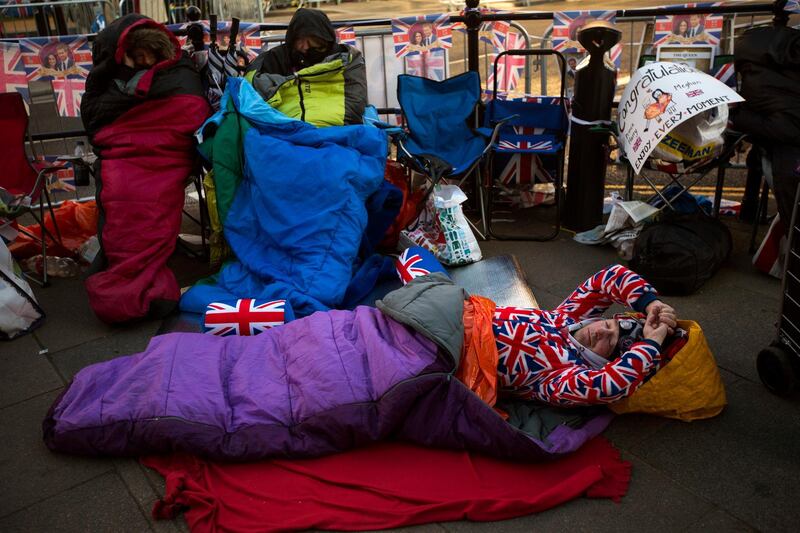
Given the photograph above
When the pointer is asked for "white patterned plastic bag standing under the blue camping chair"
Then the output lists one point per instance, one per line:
(462, 246)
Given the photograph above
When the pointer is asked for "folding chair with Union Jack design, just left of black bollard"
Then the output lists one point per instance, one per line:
(534, 129)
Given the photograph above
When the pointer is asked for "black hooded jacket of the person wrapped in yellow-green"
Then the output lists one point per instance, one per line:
(283, 60)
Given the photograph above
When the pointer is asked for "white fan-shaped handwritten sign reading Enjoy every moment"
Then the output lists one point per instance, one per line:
(658, 98)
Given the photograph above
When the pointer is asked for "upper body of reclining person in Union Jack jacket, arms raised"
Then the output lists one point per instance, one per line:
(572, 356)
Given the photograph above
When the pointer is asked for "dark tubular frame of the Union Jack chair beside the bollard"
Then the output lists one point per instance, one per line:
(488, 184)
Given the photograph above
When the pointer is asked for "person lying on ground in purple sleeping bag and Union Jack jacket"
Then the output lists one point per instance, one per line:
(424, 366)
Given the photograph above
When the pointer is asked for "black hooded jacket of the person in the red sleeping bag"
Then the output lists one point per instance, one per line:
(103, 102)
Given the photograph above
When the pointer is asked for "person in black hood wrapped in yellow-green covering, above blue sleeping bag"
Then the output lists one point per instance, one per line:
(333, 76)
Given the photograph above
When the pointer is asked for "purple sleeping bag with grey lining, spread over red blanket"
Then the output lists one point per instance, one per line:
(325, 383)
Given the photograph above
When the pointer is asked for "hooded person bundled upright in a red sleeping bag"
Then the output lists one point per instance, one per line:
(143, 102)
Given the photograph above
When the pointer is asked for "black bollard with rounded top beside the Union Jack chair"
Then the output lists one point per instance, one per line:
(595, 81)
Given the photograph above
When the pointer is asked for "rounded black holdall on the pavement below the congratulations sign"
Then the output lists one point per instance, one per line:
(679, 252)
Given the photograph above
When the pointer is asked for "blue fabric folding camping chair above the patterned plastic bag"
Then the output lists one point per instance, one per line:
(439, 141)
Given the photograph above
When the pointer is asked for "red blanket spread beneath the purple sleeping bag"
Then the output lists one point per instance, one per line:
(384, 486)
